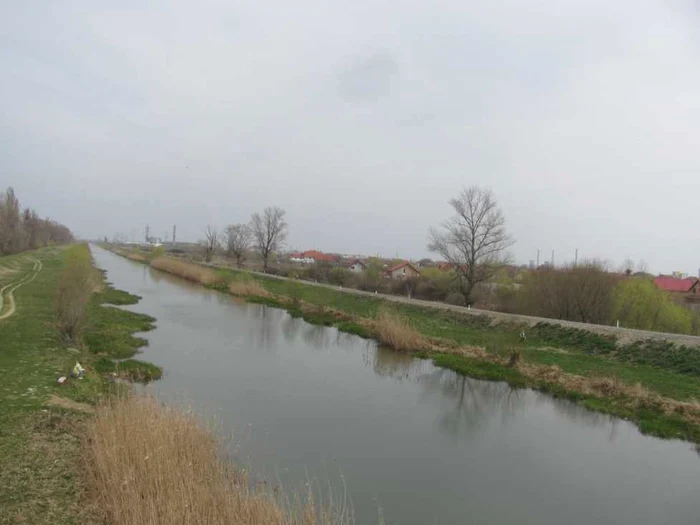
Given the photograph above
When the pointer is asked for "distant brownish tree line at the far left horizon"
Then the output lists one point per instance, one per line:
(23, 229)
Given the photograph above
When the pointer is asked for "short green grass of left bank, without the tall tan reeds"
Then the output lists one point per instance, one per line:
(40, 421)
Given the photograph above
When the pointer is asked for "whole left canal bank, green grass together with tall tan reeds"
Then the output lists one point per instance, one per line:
(84, 452)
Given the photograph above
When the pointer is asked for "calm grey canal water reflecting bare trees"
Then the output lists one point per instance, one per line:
(395, 435)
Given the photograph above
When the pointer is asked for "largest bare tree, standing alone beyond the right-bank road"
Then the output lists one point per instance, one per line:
(474, 239)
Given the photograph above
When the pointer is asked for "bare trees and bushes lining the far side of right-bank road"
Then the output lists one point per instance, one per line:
(474, 243)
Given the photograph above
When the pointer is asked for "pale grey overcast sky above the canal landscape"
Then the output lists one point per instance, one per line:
(361, 119)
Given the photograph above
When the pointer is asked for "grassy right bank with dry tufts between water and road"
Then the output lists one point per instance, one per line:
(656, 385)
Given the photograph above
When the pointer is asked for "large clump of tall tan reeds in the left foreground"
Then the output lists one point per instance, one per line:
(149, 464)
